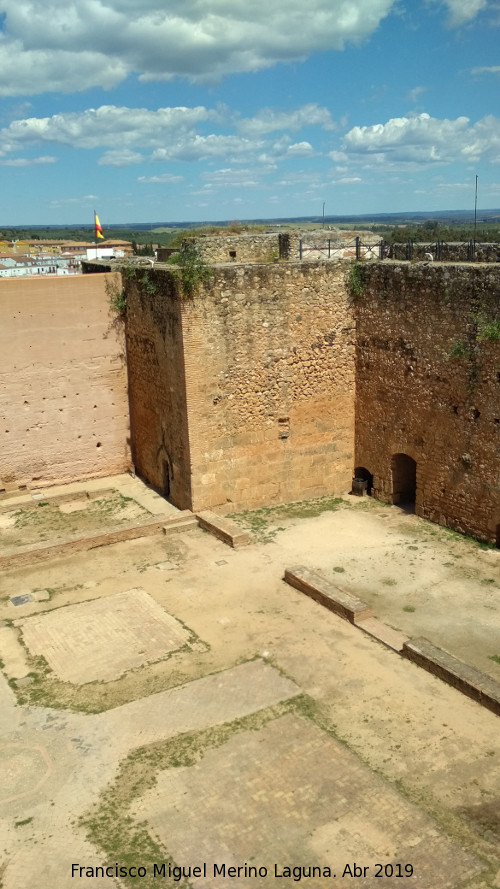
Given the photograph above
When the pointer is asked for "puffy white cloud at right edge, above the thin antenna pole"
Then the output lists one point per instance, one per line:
(423, 140)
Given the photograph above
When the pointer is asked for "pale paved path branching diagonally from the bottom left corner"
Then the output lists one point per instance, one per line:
(54, 764)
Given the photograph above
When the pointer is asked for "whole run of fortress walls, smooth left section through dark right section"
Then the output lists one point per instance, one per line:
(245, 394)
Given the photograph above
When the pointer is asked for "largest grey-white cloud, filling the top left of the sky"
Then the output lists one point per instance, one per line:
(68, 47)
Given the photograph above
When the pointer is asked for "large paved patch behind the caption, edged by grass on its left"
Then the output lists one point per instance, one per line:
(302, 800)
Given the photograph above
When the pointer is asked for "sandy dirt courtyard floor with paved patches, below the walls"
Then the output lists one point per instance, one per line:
(311, 744)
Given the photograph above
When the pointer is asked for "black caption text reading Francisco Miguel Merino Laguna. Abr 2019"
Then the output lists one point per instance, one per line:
(296, 873)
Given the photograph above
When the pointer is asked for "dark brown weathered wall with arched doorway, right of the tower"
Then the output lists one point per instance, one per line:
(428, 386)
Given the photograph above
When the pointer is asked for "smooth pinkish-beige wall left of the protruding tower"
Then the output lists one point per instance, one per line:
(63, 382)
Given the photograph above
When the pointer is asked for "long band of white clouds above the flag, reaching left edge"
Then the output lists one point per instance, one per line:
(131, 135)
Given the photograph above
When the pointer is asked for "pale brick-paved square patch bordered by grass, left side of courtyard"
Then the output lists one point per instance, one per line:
(101, 639)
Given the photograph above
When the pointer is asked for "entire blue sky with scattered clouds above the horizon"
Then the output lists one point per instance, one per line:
(163, 110)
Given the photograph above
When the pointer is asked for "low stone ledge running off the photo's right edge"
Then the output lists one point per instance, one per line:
(468, 680)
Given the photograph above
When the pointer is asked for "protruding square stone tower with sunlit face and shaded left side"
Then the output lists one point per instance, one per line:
(248, 388)
